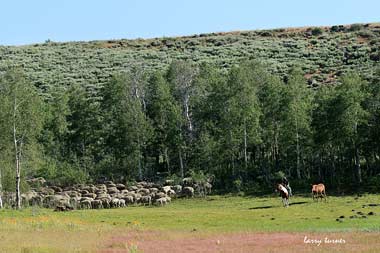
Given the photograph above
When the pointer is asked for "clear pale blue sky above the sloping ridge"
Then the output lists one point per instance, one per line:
(35, 21)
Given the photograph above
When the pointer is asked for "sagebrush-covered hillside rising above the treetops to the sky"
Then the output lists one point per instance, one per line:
(323, 53)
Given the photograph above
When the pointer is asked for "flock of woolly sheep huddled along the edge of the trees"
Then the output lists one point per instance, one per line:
(110, 195)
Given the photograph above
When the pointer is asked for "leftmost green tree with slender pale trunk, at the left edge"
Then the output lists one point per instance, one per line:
(21, 122)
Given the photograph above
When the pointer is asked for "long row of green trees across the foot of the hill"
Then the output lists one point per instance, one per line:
(244, 129)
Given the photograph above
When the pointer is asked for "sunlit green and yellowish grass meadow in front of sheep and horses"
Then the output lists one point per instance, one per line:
(42, 230)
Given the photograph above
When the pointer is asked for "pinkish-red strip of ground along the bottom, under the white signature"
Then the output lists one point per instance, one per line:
(153, 241)
